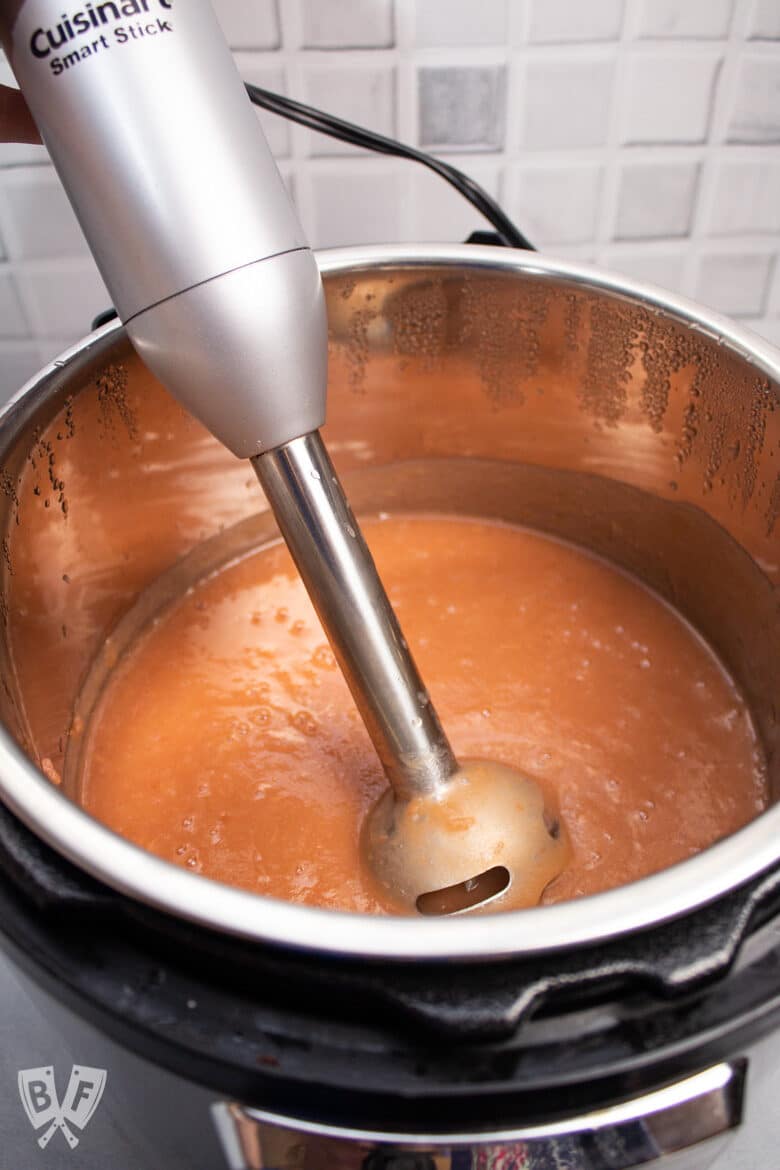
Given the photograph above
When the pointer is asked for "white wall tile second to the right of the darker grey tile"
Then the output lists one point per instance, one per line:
(669, 98)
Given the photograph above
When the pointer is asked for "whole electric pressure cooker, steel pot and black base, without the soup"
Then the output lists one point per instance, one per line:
(634, 1028)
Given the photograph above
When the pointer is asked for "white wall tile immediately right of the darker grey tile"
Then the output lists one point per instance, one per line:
(568, 101)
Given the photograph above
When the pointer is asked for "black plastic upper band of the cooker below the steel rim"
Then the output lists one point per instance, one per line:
(398, 1045)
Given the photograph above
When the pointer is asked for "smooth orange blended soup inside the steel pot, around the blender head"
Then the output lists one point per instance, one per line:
(227, 741)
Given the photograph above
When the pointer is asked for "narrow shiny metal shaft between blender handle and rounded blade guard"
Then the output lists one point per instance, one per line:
(340, 574)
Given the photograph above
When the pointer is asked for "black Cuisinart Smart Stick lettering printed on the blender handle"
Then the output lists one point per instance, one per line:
(78, 32)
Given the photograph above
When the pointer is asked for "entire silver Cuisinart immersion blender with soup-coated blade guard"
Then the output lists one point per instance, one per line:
(160, 150)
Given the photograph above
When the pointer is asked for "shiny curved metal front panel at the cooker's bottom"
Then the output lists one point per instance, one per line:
(643, 1132)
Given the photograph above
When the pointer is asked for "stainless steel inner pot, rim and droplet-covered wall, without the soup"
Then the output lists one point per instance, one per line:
(466, 380)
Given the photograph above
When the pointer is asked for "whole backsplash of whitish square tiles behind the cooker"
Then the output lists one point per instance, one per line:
(644, 135)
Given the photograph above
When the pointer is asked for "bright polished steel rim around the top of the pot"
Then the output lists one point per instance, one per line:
(141, 876)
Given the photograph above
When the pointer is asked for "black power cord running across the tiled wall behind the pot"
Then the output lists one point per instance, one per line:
(348, 133)
